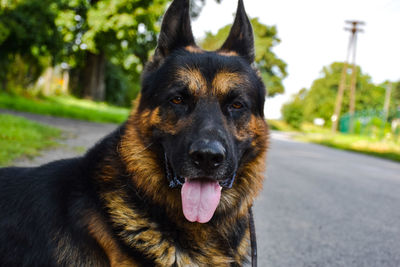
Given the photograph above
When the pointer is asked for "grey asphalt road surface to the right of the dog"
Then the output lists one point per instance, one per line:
(326, 207)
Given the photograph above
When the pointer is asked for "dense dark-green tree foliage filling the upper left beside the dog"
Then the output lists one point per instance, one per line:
(35, 34)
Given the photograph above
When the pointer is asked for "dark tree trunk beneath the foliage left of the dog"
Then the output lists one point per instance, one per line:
(94, 77)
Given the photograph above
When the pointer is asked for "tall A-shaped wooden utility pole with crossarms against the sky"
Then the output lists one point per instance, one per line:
(339, 98)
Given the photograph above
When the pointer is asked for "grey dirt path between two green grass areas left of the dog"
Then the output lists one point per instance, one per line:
(77, 137)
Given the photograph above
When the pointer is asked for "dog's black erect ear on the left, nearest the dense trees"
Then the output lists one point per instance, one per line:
(176, 31)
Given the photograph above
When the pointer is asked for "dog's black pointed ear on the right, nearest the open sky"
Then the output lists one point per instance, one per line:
(241, 39)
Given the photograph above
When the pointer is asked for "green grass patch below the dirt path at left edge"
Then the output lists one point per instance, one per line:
(21, 137)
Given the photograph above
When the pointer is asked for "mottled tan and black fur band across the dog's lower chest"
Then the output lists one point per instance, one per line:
(151, 242)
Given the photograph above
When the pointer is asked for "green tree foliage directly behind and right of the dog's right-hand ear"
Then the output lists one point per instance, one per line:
(273, 69)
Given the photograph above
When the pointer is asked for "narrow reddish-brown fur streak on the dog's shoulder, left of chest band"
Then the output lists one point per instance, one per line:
(98, 229)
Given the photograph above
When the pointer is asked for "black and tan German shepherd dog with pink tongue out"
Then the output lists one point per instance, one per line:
(172, 186)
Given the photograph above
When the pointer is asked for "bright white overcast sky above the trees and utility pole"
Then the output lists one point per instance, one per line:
(313, 36)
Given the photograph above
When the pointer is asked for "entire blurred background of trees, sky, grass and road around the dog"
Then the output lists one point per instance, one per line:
(70, 70)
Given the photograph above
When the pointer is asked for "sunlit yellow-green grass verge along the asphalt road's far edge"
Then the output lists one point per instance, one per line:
(388, 149)
